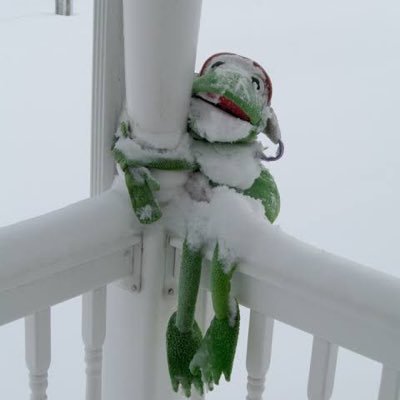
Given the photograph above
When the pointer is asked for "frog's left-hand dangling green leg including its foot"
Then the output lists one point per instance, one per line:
(183, 333)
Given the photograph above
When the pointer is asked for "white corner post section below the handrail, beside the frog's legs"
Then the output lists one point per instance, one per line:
(135, 355)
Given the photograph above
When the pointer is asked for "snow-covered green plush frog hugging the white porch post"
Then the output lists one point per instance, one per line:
(230, 106)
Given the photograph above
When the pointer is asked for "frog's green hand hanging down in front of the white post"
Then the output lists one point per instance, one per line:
(141, 186)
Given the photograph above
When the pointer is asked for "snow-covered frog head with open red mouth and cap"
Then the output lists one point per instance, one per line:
(232, 101)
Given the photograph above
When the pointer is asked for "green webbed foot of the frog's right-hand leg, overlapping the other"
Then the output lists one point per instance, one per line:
(217, 351)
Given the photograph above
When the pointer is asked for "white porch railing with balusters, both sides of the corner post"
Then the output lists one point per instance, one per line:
(289, 281)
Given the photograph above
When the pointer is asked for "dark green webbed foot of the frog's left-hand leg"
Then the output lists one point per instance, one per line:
(181, 347)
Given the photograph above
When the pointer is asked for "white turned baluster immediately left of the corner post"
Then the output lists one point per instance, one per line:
(93, 333)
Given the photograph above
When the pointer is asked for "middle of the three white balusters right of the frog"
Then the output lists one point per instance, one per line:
(322, 369)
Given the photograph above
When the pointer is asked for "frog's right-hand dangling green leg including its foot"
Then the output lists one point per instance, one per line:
(217, 351)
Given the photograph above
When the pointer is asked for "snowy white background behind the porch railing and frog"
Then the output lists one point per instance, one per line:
(335, 69)
